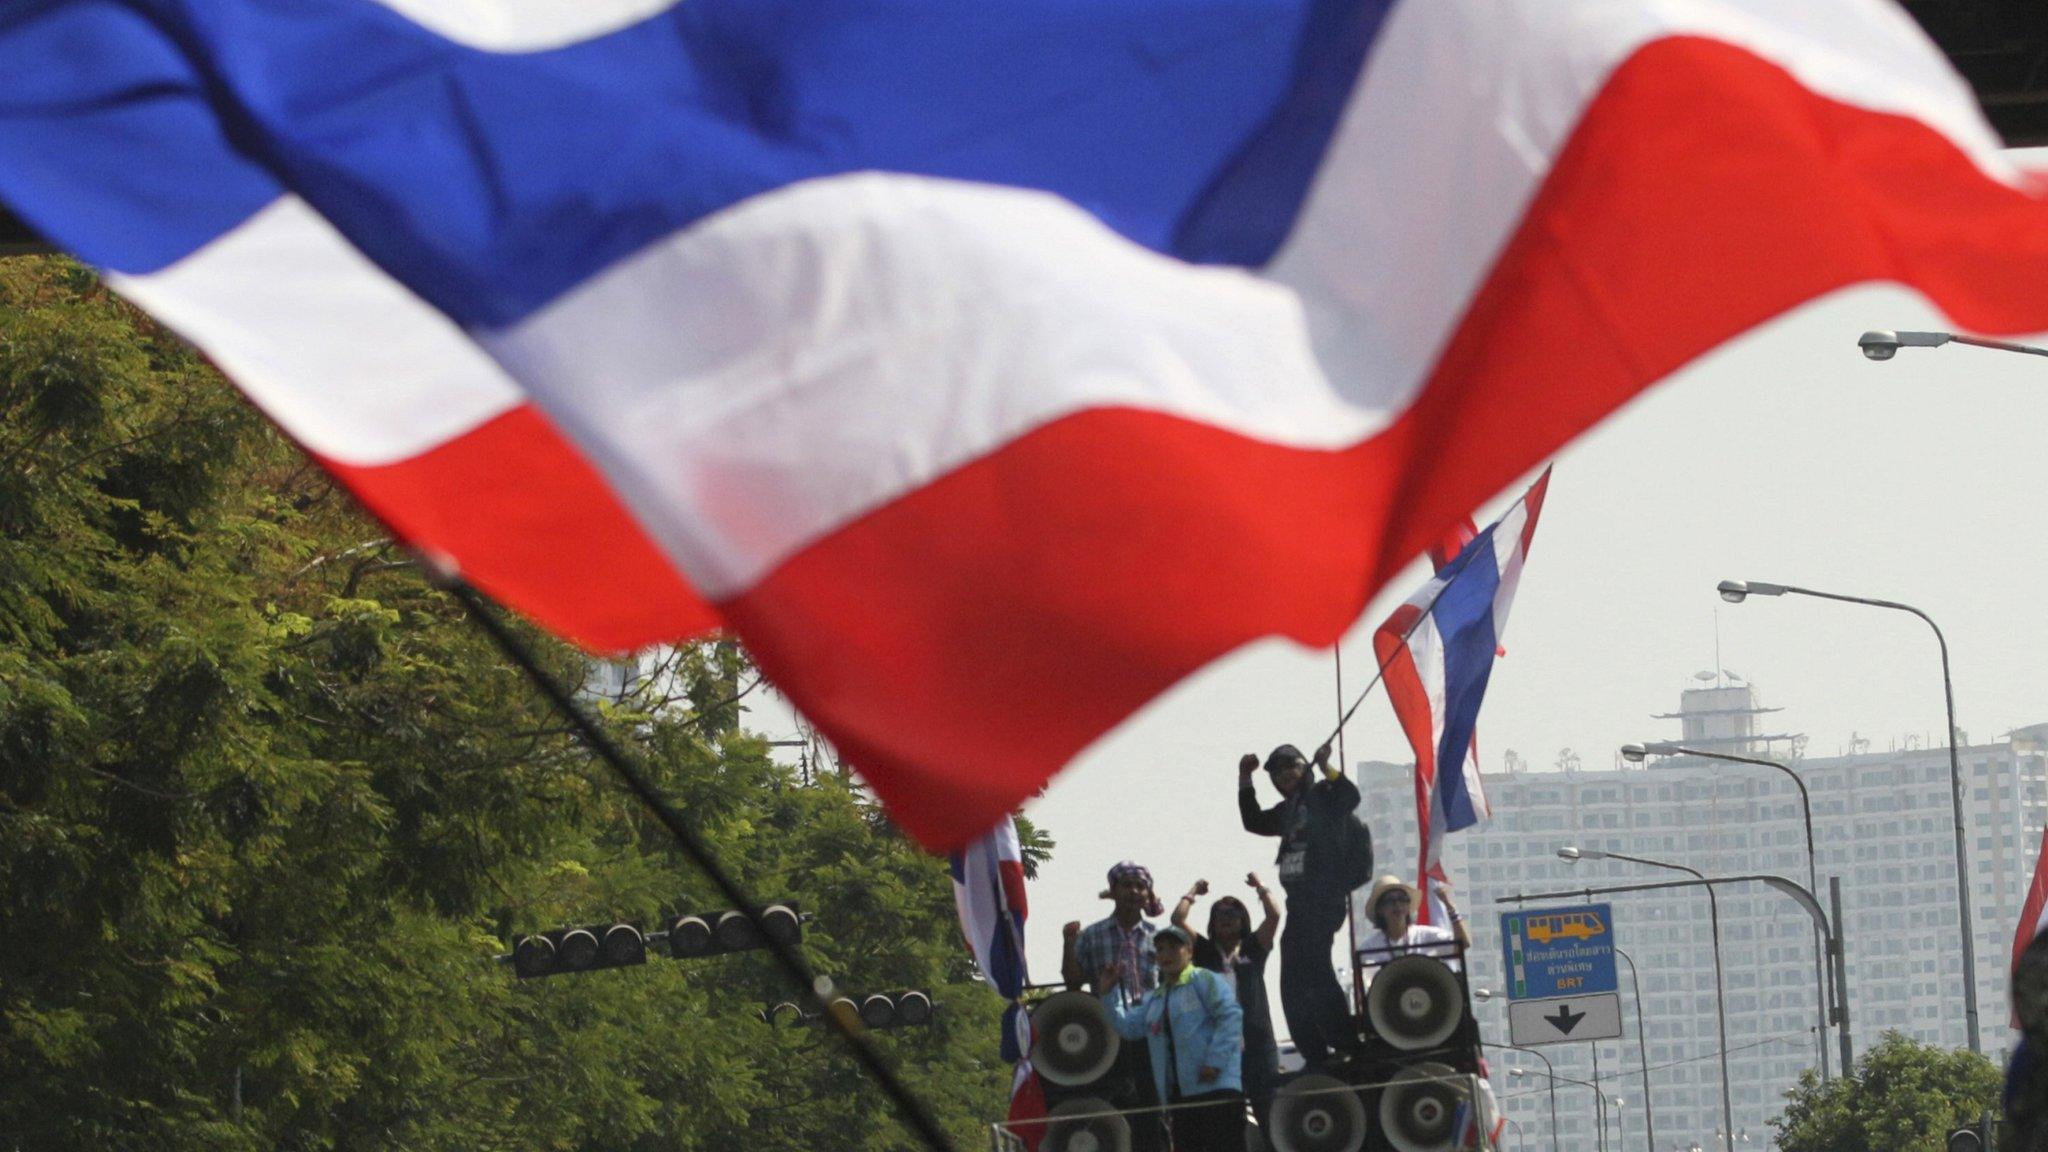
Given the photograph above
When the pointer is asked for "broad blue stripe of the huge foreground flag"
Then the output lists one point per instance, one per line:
(493, 183)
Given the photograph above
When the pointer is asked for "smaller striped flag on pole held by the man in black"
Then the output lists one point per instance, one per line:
(1437, 653)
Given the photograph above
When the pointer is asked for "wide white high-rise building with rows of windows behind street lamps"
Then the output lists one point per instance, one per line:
(1881, 823)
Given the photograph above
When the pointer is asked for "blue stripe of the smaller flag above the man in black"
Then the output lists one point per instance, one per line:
(1465, 624)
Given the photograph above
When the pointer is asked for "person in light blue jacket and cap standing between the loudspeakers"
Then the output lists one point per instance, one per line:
(1195, 1032)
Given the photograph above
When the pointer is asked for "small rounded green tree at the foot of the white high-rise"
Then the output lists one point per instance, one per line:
(1904, 1098)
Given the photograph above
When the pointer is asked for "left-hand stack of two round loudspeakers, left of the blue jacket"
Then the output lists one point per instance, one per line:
(1074, 1051)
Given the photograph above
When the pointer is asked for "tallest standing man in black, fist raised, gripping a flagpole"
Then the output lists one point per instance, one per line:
(1324, 854)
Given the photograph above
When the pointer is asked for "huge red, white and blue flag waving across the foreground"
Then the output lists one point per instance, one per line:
(986, 368)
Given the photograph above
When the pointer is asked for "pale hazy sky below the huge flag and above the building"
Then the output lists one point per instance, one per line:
(1785, 458)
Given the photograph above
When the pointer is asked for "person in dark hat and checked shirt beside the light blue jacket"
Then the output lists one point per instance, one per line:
(1123, 944)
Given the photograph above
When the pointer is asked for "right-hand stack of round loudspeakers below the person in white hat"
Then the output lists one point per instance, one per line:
(1416, 1069)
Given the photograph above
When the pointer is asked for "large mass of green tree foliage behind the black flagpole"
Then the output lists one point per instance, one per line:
(269, 807)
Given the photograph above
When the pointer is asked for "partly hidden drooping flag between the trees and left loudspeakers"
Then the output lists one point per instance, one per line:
(988, 891)
